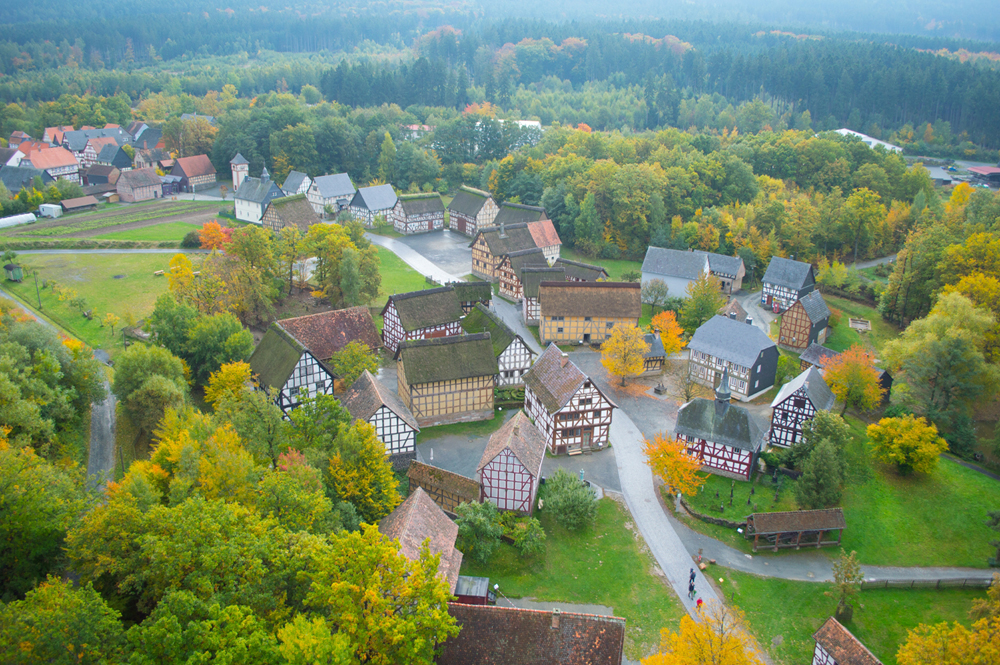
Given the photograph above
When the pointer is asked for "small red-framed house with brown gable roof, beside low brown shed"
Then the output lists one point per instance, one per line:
(511, 466)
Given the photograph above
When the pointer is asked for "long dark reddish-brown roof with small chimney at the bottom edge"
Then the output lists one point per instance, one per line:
(495, 635)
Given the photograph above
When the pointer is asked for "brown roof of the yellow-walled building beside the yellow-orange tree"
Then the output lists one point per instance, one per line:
(607, 299)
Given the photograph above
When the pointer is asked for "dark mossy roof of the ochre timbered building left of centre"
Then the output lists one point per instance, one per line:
(447, 358)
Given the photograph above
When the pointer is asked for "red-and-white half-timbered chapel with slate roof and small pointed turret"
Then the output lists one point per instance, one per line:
(724, 437)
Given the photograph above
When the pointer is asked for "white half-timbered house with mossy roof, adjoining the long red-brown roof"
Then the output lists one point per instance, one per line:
(287, 368)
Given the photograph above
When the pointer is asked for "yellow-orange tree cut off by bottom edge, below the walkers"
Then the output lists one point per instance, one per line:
(720, 638)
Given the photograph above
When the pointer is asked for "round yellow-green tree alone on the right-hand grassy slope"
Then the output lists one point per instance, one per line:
(908, 443)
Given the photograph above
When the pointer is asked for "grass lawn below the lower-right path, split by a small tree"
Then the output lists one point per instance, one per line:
(795, 610)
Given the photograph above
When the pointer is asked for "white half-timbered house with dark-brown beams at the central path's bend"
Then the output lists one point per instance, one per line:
(569, 409)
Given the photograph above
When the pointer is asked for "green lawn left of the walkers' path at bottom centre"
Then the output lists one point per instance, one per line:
(602, 564)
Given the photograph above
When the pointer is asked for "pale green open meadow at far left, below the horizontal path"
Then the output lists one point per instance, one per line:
(92, 276)
